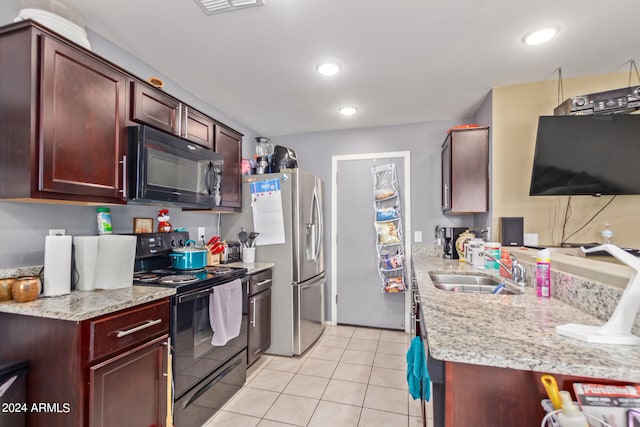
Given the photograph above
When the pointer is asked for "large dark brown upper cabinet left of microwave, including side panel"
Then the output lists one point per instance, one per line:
(62, 121)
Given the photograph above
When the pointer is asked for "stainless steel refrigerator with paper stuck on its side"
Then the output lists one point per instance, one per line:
(299, 273)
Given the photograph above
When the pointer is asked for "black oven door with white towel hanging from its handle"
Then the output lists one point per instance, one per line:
(194, 357)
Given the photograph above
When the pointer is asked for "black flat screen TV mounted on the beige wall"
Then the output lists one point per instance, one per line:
(587, 155)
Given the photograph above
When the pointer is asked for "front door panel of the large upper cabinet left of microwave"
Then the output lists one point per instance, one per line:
(82, 116)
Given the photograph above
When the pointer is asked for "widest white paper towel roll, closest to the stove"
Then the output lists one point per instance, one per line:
(116, 258)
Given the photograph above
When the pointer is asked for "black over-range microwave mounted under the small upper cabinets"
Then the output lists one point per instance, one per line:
(166, 169)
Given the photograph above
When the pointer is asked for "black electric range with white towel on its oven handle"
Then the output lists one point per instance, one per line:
(205, 376)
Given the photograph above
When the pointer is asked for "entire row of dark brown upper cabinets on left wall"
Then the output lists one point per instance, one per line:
(64, 114)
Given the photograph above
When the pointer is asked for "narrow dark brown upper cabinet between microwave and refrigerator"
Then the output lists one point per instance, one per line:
(229, 144)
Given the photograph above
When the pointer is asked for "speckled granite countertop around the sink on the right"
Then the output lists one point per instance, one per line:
(513, 331)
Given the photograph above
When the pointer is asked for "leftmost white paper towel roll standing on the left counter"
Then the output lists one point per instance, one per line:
(57, 265)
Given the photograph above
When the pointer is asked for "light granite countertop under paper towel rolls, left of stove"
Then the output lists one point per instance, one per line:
(83, 305)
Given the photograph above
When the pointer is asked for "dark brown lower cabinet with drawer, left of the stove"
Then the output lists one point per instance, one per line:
(104, 371)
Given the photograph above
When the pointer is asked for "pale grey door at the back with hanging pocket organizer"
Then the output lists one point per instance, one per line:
(357, 283)
